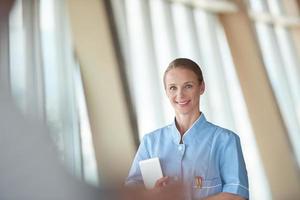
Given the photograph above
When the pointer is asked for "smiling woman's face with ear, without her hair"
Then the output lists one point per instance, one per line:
(183, 90)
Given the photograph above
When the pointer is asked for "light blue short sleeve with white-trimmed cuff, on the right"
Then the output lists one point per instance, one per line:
(232, 167)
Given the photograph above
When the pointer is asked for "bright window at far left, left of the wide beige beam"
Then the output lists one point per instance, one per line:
(46, 81)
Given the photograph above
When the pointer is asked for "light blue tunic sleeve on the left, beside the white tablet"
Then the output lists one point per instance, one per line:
(135, 176)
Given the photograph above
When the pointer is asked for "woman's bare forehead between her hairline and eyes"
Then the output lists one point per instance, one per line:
(180, 75)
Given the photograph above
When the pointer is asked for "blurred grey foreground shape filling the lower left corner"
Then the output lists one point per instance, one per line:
(30, 169)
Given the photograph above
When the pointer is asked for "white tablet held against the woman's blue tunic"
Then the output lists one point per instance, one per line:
(151, 171)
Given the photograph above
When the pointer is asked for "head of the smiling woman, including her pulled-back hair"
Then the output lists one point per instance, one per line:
(184, 84)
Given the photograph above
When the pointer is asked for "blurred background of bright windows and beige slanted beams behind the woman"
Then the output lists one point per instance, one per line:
(92, 71)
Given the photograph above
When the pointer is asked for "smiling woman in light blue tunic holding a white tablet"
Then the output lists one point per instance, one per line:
(206, 157)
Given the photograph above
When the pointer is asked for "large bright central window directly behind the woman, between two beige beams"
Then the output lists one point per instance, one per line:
(153, 33)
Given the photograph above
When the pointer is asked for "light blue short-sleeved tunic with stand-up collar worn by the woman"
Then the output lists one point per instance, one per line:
(208, 151)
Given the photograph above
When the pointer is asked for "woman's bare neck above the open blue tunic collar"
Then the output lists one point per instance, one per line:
(184, 122)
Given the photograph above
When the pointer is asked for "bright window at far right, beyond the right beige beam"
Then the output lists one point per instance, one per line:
(282, 64)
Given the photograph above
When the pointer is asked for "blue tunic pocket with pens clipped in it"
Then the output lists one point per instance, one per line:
(209, 187)
